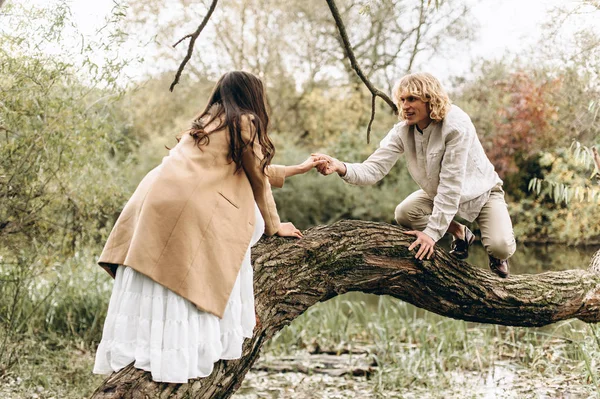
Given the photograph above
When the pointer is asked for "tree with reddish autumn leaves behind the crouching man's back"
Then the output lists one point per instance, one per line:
(522, 111)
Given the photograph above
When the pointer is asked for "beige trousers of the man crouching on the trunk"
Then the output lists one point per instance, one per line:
(494, 221)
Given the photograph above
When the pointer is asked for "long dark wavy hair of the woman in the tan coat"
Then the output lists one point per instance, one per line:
(236, 94)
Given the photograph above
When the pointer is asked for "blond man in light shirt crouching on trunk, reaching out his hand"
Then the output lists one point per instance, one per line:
(445, 157)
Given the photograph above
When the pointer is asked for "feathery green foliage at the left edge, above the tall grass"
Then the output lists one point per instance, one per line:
(62, 142)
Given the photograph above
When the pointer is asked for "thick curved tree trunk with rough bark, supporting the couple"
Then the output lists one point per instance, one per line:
(292, 275)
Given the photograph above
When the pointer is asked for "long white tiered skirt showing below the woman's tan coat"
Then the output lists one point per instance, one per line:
(166, 334)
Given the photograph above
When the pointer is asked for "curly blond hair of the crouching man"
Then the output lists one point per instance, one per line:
(428, 89)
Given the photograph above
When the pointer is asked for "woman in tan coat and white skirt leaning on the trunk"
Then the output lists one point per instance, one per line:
(180, 250)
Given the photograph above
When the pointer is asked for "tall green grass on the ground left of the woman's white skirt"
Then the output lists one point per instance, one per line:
(50, 323)
